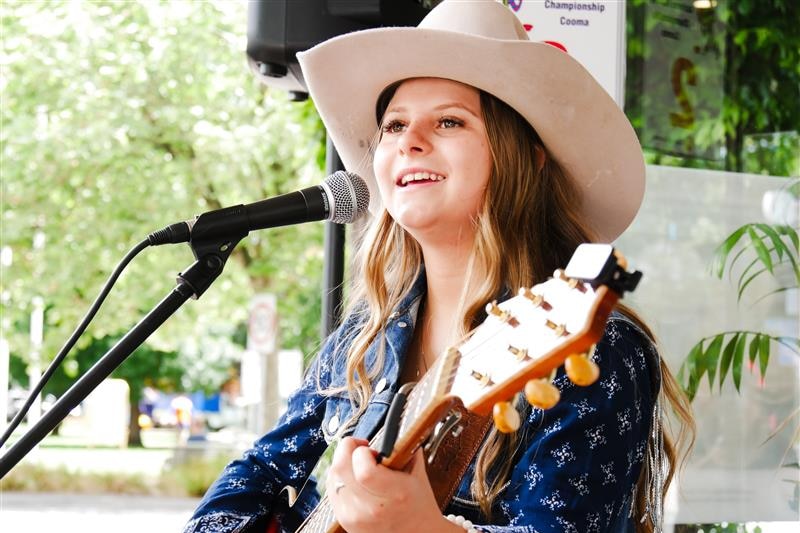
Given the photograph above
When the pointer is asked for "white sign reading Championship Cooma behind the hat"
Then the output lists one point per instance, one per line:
(591, 32)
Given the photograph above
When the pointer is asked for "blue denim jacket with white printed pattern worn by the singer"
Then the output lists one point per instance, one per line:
(575, 470)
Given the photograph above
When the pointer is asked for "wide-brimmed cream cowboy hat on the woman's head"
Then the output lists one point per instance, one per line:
(483, 44)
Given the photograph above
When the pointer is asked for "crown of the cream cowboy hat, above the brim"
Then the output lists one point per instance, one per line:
(482, 18)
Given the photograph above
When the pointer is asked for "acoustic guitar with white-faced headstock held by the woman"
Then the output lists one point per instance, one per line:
(519, 347)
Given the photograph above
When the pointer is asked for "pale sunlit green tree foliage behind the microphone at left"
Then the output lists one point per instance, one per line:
(119, 118)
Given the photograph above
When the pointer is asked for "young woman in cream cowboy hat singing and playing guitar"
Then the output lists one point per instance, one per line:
(490, 158)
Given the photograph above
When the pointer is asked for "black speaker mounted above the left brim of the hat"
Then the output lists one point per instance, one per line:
(278, 29)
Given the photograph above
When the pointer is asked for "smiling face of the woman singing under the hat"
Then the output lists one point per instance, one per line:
(432, 162)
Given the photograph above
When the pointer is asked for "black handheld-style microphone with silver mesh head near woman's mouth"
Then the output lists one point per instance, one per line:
(341, 198)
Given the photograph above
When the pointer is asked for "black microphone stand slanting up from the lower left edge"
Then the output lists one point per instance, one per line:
(211, 256)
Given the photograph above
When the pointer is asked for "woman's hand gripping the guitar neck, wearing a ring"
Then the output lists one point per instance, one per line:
(368, 497)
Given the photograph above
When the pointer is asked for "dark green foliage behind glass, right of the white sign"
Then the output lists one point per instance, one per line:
(718, 87)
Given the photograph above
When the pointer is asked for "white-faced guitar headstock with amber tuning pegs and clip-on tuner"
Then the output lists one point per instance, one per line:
(527, 337)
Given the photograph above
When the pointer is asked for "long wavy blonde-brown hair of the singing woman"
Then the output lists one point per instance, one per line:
(529, 225)
